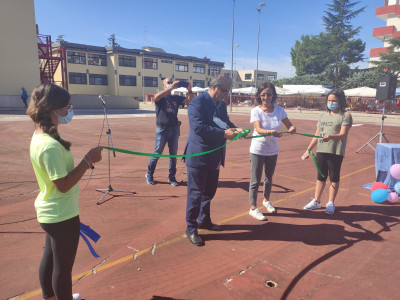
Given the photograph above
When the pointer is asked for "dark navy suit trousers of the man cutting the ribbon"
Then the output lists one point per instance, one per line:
(202, 186)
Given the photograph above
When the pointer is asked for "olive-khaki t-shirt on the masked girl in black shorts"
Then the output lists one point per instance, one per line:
(331, 124)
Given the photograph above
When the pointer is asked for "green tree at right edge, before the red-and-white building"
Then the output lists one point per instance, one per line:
(389, 62)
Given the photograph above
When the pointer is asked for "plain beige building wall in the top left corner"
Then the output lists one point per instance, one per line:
(19, 63)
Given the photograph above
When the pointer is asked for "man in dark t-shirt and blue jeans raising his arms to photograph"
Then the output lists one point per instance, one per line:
(167, 127)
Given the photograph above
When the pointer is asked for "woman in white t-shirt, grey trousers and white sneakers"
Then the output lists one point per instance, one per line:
(267, 118)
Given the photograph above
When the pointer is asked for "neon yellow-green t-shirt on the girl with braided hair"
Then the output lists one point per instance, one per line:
(50, 161)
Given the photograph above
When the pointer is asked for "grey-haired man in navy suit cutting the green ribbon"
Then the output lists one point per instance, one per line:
(203, 170)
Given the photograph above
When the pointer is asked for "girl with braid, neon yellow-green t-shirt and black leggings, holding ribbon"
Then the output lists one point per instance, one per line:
(57, 203)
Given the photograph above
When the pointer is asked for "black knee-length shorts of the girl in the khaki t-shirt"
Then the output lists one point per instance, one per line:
(329, 162)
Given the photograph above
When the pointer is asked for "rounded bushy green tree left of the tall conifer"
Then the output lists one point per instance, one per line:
(309, 54)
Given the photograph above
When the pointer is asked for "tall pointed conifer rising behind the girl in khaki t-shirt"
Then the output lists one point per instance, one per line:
(344, 49)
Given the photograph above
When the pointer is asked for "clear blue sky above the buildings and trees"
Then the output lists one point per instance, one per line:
(200, 28)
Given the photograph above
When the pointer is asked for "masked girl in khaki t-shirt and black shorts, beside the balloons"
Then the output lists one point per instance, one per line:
(333, 126)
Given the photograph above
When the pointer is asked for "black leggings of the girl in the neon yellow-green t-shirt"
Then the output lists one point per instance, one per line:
(58, 258)
